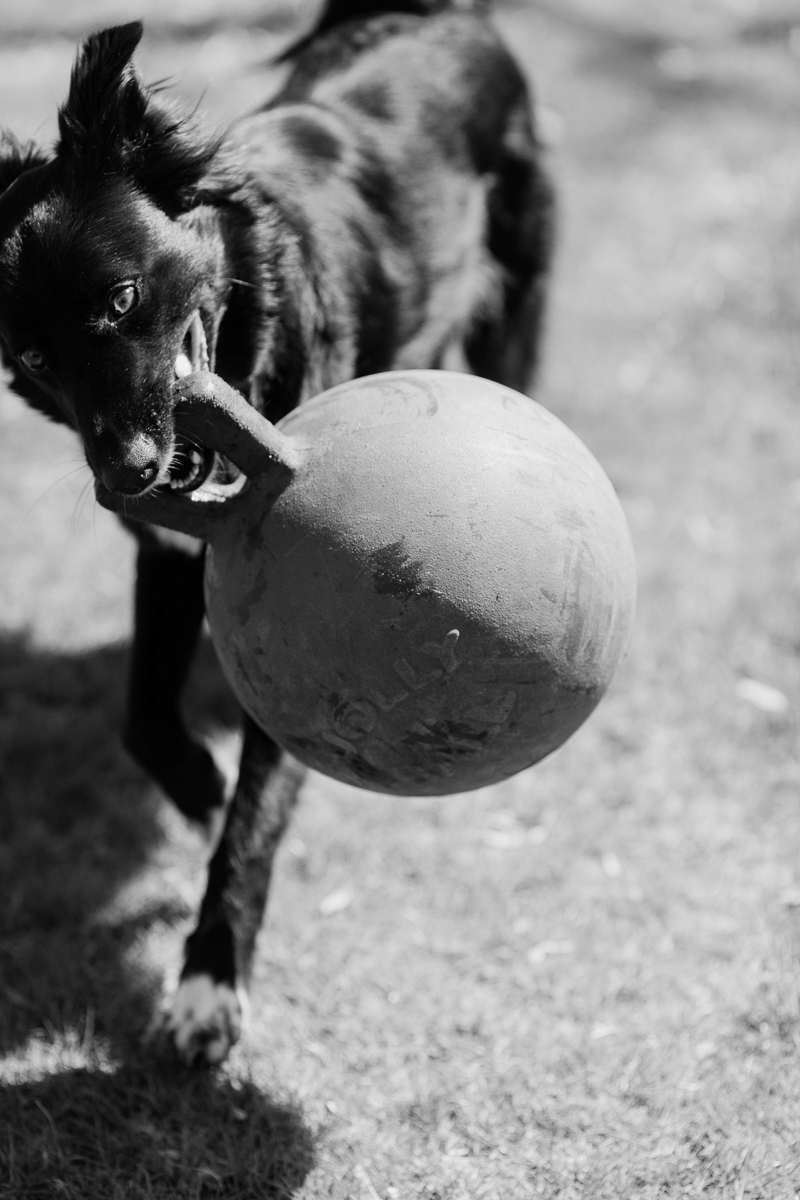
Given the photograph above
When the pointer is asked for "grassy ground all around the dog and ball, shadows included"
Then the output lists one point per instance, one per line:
(582, 983)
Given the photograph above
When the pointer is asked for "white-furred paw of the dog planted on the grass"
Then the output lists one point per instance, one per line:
(206, 1021)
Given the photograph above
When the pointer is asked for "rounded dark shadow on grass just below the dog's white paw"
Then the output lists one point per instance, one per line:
(149, 1132)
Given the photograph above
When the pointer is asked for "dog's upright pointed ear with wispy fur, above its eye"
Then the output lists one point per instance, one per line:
(112, 121)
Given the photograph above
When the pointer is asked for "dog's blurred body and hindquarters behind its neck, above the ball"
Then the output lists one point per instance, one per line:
(402, 148)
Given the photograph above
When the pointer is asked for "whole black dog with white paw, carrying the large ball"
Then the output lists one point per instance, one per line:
(388, 209)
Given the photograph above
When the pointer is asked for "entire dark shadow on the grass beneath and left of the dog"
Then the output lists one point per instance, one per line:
(79, 824)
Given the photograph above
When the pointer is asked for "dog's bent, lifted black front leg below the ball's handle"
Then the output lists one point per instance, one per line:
(169, 615)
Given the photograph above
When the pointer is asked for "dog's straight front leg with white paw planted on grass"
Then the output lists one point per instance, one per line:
(210, 1004)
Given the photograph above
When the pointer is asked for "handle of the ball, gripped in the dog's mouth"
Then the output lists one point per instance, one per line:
(212, 413)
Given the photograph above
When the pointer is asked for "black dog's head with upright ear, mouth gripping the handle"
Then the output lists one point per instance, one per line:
(112, 271)
